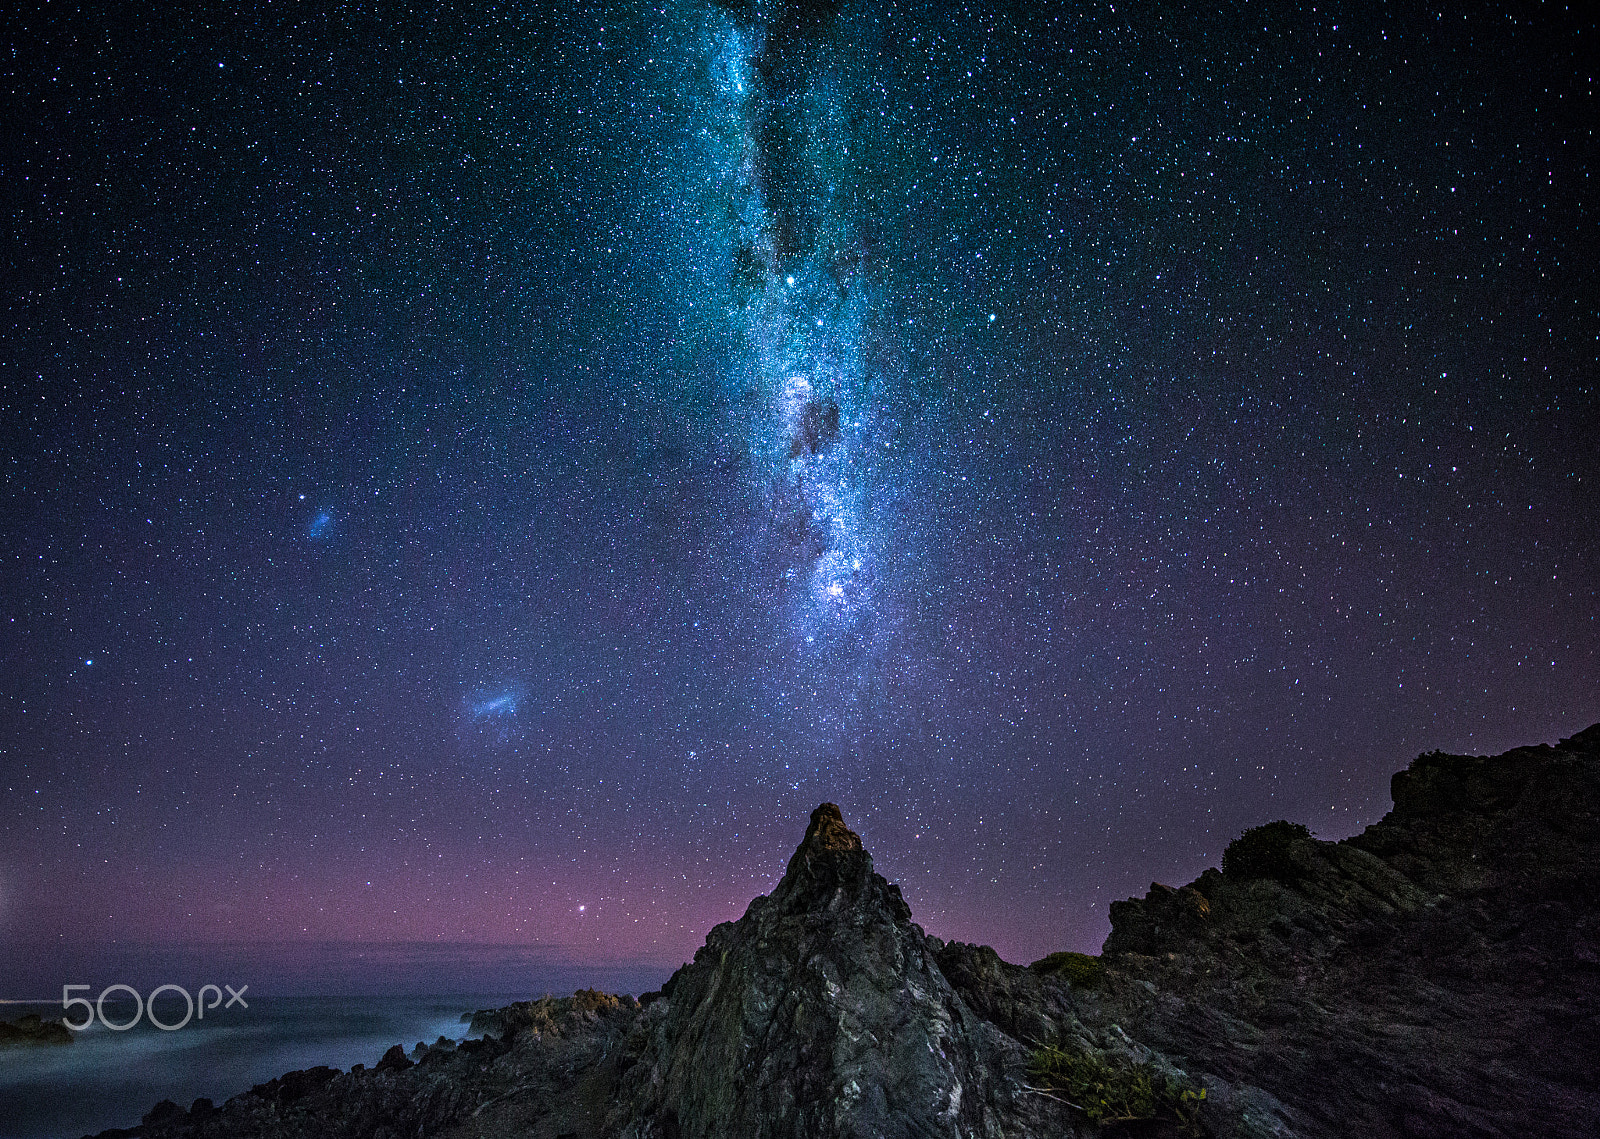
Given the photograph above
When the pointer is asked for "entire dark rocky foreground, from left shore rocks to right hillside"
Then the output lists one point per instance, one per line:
(1438, 975)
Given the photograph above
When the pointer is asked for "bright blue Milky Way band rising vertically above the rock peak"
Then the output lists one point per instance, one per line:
(806, 305)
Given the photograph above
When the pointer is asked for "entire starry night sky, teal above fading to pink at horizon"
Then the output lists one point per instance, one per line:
(486, 474)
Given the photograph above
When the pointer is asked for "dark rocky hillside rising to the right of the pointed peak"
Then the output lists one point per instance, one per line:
(1436, 975)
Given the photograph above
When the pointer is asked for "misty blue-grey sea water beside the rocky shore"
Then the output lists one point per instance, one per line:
(110, 1079)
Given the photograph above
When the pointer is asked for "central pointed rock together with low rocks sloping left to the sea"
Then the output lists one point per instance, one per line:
(823, 1012)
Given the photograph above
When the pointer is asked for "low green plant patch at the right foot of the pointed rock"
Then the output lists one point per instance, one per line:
(1111, 1090)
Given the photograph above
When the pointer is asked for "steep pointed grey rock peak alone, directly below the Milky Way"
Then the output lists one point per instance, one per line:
(823, 1012)
